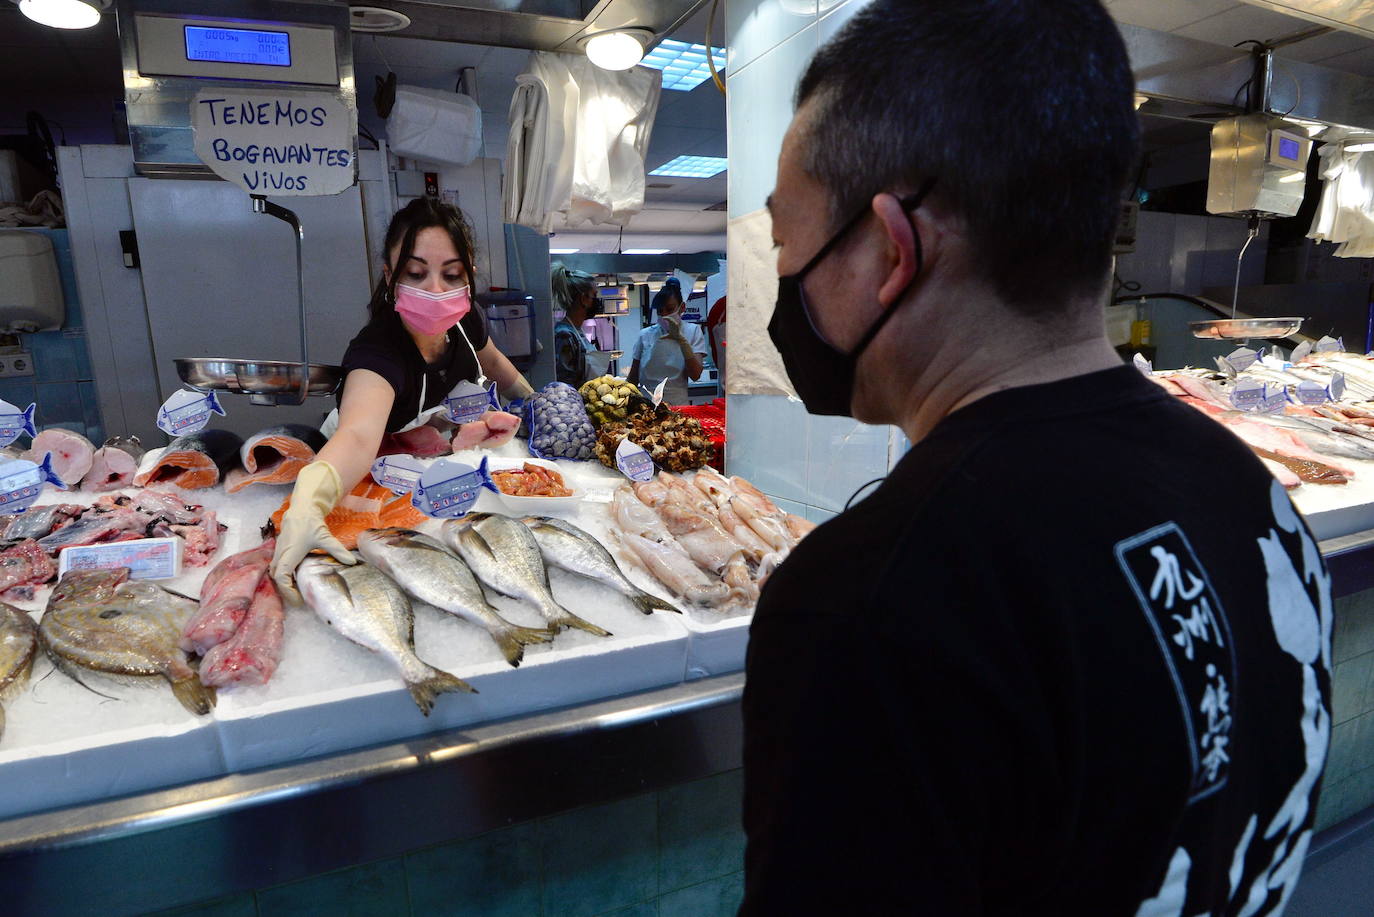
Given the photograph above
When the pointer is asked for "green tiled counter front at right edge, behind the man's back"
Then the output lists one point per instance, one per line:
(1349, 784)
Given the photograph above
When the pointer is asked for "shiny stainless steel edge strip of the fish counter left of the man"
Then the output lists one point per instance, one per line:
(168, 808)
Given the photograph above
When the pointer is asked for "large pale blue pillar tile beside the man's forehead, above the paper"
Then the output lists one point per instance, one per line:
(758, 118)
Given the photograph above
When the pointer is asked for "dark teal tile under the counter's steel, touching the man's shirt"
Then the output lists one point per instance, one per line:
(700, 831)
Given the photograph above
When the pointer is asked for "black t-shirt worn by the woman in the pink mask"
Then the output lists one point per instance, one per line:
(385, 347)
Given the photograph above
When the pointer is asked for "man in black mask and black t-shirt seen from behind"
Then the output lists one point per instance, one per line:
(1072, 656)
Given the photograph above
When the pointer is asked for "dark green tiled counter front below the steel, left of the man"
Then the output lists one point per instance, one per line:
(678, 853)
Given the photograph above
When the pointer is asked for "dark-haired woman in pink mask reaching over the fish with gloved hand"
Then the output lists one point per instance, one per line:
(424, 336)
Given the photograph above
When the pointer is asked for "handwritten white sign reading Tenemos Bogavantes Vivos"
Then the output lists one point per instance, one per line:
(280, 142)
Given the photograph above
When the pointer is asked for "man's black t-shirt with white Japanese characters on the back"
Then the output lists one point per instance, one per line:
(1071, 659)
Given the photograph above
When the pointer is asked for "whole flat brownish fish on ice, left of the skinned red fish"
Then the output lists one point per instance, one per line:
(101, 622)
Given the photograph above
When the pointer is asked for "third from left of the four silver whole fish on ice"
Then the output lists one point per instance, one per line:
(505, 556)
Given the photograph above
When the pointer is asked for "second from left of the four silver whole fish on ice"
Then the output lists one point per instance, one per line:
(432, 574)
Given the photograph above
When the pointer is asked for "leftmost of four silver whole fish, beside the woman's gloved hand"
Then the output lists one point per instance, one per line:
(369, 610)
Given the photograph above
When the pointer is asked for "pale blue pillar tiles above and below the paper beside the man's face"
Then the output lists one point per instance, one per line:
(810, 465)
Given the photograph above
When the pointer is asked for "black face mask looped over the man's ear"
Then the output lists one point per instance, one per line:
(825, 377)
